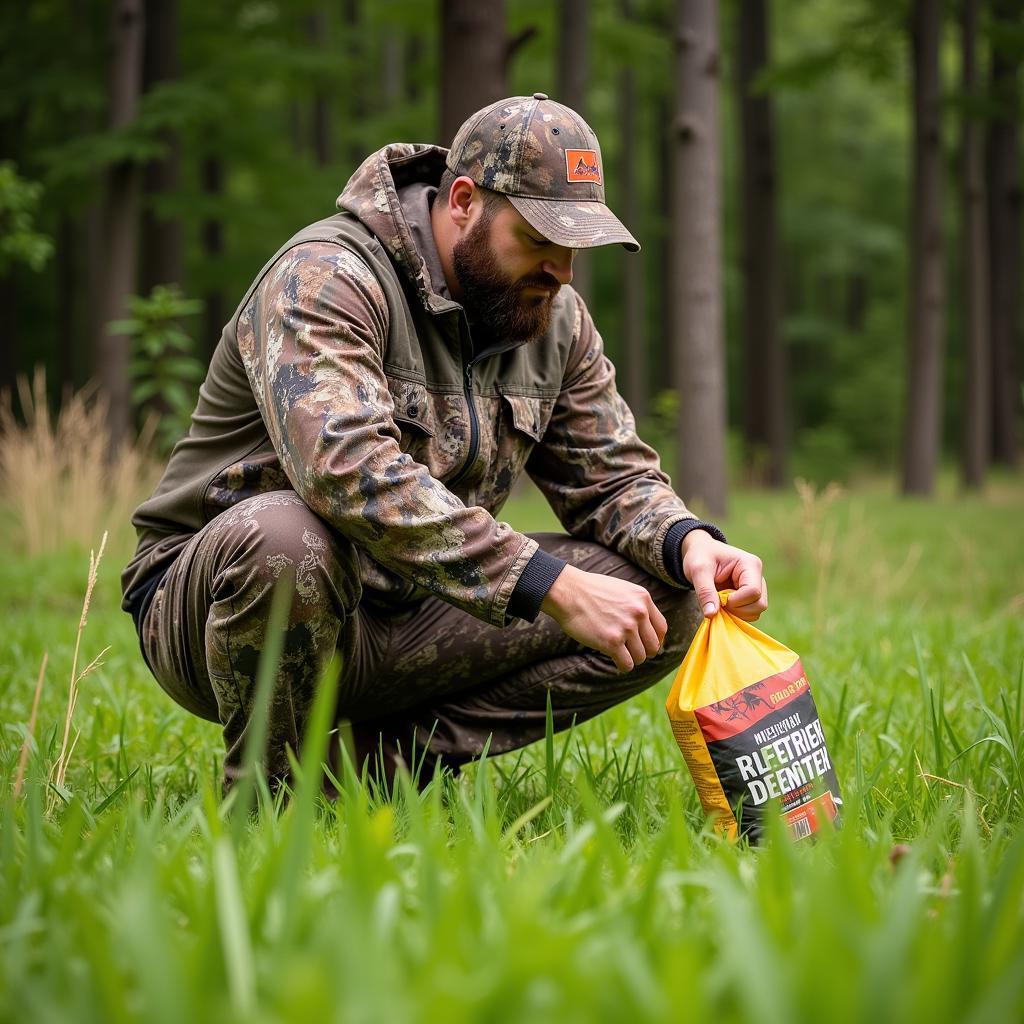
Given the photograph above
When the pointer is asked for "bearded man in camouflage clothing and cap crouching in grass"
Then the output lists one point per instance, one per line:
(388, 377)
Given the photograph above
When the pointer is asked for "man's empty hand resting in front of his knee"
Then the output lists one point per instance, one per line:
(615, 617)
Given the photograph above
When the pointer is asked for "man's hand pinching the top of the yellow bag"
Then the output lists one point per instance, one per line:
(711, 566)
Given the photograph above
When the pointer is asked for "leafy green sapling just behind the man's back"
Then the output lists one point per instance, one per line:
(165, 372)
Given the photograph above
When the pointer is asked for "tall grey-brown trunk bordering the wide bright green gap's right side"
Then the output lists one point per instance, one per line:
(927, 286)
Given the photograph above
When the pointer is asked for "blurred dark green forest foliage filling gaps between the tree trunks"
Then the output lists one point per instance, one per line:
(260, 111)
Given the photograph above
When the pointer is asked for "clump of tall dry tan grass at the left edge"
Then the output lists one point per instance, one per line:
(59, 477)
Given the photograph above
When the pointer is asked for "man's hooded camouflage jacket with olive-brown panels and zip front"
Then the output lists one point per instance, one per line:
(350, 375)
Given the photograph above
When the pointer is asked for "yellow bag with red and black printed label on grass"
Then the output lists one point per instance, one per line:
(745, 719)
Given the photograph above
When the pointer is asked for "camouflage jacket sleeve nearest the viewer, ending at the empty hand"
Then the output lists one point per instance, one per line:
(312, 340)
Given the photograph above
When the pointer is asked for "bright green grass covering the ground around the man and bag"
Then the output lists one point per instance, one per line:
(576, 881)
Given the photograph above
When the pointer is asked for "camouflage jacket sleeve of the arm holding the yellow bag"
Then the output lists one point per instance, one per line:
(604, 483)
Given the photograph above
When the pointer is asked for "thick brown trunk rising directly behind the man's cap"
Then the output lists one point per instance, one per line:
(474, 47)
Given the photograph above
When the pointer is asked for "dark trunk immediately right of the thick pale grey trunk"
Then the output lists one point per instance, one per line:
(764, 359)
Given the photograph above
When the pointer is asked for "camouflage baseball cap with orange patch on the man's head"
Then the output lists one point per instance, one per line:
(546, 159)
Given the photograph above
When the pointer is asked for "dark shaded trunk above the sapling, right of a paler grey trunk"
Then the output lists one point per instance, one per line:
(162, 243)
